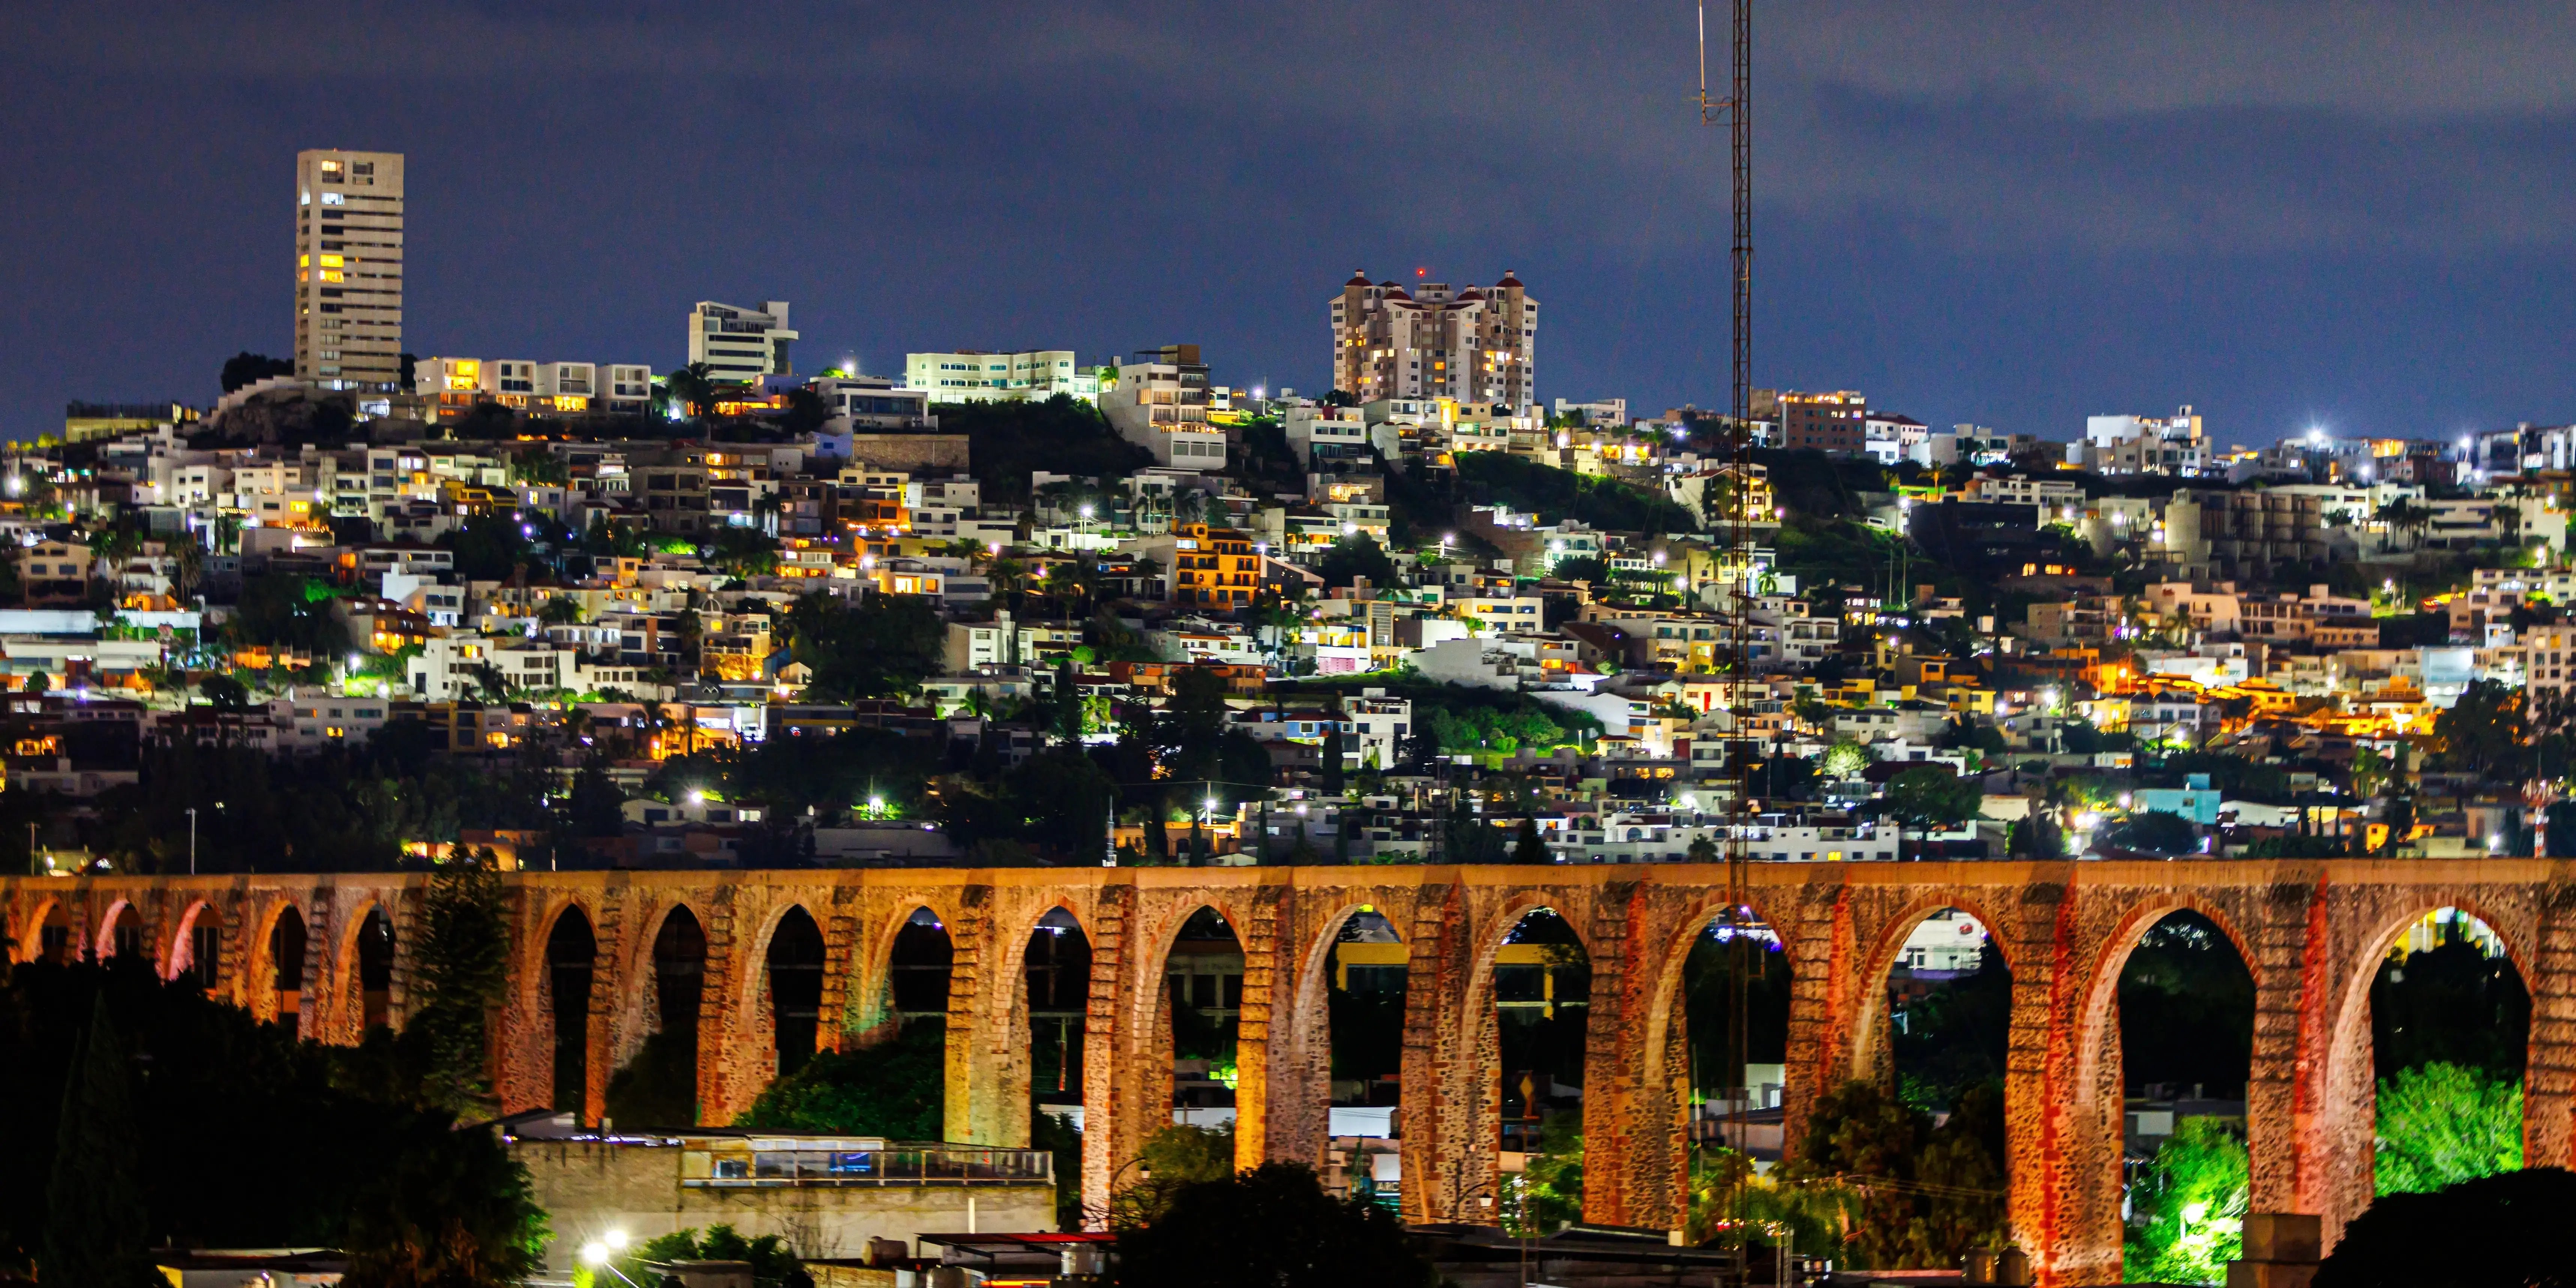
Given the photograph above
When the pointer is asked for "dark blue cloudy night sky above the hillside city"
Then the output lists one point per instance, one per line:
(2003, 213)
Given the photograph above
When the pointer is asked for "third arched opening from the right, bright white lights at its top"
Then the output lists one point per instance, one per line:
(1949, 1011)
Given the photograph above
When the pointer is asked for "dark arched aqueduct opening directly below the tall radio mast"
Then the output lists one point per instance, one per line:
(1735, 1019)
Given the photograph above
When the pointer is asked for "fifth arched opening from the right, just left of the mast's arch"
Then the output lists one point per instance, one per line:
(1542, 1009)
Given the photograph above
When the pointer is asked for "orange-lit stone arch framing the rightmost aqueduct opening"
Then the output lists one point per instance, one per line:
(2351, 1052)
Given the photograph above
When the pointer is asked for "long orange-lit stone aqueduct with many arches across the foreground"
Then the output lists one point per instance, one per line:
(2312, 936)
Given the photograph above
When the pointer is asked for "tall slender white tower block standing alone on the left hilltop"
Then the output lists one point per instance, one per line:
(349, 269)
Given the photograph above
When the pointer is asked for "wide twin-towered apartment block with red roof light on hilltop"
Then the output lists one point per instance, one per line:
(1475, 346)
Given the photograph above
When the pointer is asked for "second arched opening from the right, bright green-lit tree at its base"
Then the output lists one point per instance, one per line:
(2186, 1055)
